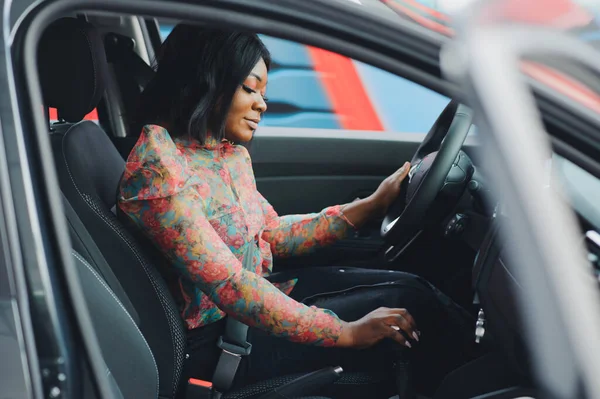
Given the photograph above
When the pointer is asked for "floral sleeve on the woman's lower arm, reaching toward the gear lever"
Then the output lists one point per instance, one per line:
(166, 203)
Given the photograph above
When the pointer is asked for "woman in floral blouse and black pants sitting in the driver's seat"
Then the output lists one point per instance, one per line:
(189, 186)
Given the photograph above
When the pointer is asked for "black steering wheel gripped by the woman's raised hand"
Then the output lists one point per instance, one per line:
(437, 165)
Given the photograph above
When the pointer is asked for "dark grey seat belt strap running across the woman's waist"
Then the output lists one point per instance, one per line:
(234, 345)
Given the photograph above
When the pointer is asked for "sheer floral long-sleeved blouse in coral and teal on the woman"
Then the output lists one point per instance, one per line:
(200, 206)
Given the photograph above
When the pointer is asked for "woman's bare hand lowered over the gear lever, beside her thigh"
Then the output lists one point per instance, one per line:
(380, 323)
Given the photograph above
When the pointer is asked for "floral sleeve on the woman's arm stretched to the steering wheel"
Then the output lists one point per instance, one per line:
(301, 234)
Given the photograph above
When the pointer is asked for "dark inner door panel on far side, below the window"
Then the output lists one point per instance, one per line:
(305, 170)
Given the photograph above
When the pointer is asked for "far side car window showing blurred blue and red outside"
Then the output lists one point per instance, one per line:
(317, 89)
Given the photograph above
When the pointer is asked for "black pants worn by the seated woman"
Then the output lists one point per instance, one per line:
(445, 342)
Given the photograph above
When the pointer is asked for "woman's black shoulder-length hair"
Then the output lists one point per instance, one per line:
(197, 74)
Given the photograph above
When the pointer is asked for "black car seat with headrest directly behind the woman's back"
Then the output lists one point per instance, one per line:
(72, 68)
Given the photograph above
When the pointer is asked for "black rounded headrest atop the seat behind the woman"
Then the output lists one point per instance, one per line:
(72, 67)
